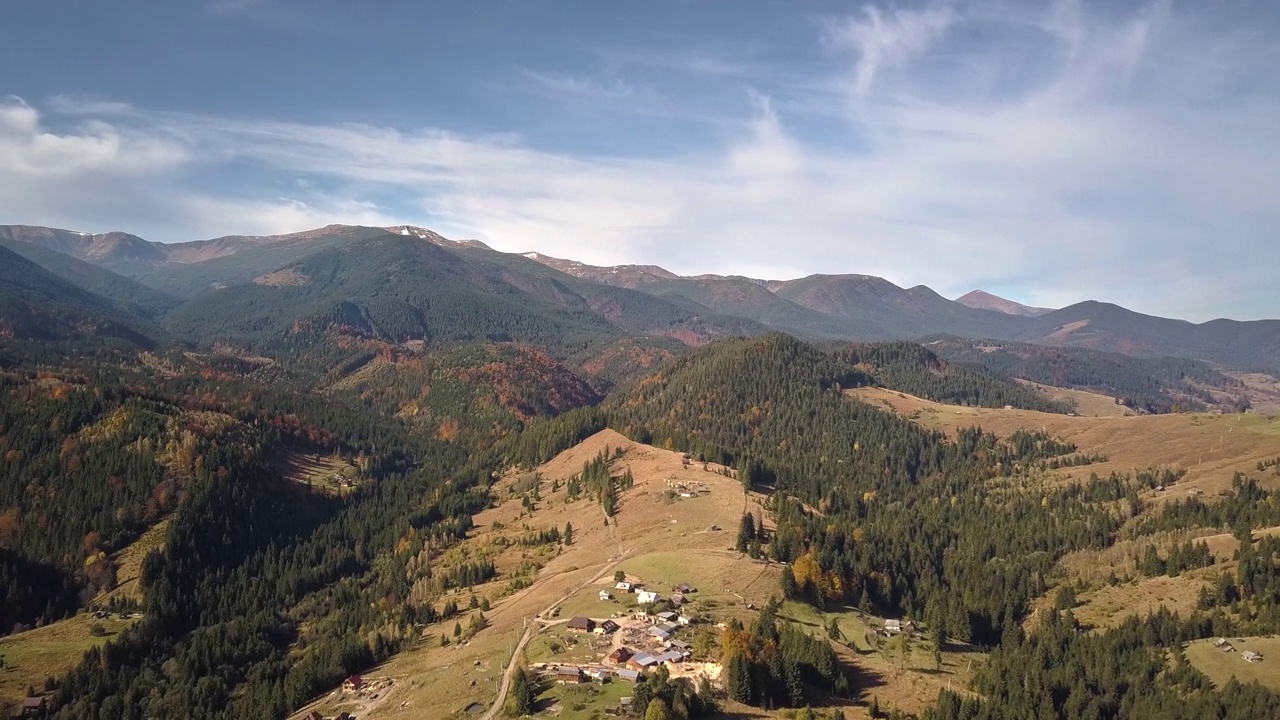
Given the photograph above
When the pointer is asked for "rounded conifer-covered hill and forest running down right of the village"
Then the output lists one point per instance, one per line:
(904, 522)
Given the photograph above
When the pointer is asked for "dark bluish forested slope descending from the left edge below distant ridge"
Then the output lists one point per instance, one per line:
(36, 304)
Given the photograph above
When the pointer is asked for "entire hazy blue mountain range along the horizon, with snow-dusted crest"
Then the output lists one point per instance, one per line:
(298, 276)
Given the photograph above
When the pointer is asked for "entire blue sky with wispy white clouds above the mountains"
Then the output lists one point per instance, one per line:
(1046, 152)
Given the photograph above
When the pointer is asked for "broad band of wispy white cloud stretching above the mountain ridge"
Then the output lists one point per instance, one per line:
(1121, 174)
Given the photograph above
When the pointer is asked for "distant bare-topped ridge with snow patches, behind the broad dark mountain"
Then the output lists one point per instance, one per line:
(693, 309)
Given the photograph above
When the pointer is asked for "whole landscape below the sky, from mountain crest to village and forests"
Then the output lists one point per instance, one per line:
(385, 473)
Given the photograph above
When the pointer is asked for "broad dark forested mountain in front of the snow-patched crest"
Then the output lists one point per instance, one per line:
(388, 288)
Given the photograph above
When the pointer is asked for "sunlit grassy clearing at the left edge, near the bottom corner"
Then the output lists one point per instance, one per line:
(51, 651)
